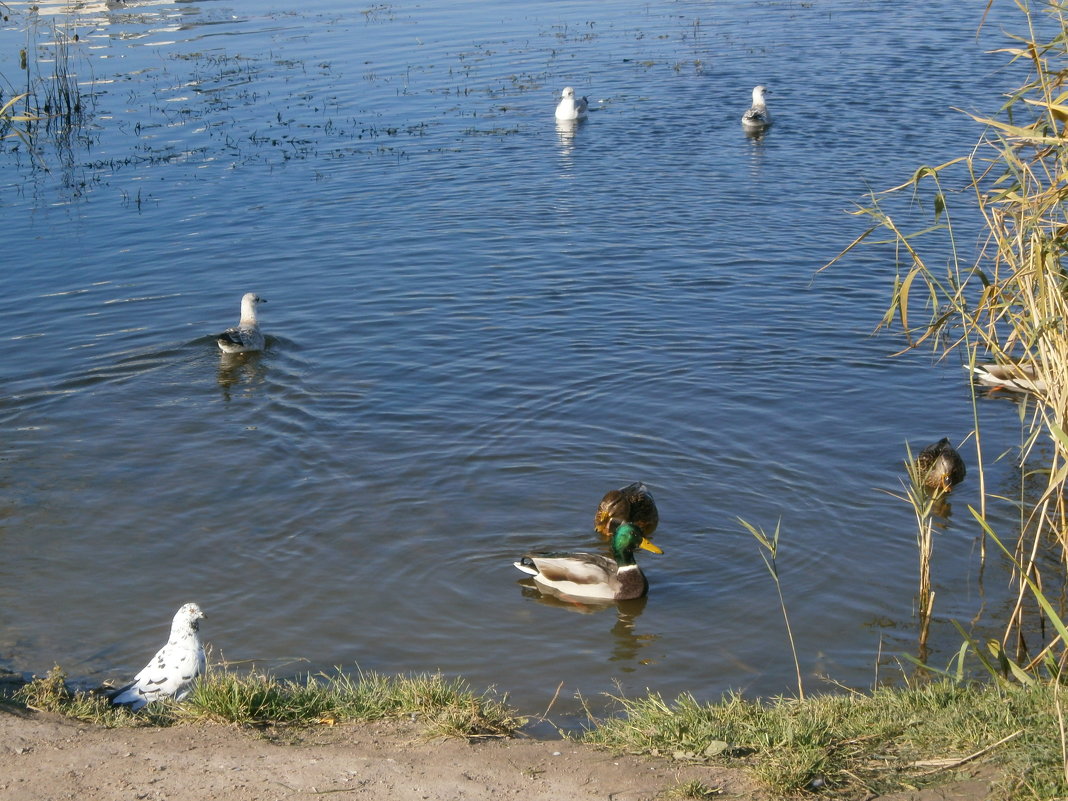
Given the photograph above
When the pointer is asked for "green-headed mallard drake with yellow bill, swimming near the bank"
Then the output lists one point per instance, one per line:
(594, 575)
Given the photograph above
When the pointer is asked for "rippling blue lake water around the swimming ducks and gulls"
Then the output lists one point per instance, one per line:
(478, 324)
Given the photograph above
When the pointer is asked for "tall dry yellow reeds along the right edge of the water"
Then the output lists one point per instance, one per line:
(1010, 303)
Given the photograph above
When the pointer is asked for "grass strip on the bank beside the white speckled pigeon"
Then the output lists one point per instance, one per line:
(443, 706)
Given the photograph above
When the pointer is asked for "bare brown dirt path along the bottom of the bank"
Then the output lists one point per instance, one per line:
(45, 757)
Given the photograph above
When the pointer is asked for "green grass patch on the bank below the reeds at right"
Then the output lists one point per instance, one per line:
(891, 740)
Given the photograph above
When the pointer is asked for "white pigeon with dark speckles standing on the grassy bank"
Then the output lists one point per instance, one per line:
(172, 671)
